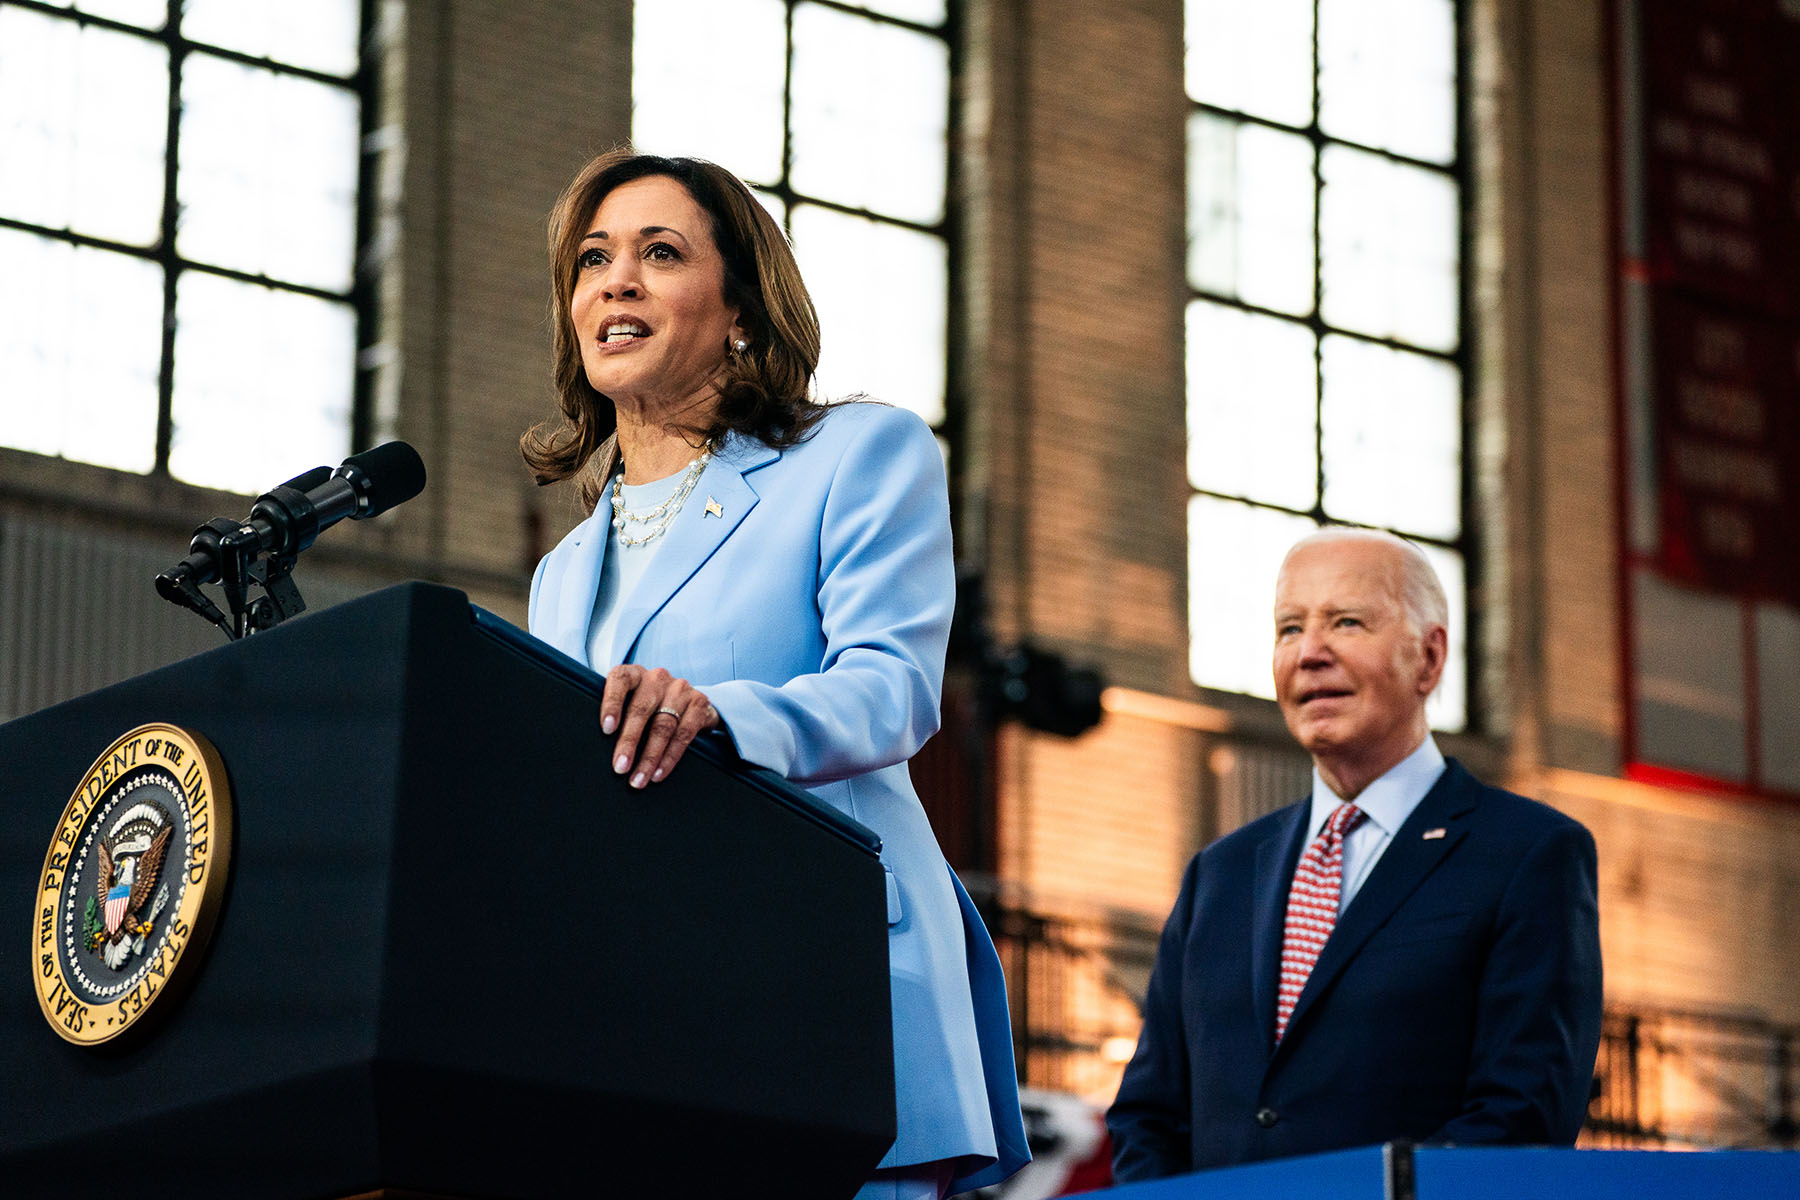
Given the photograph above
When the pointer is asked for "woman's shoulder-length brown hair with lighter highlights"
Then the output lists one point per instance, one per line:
(764, 393)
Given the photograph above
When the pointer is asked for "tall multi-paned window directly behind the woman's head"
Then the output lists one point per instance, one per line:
(838, 114)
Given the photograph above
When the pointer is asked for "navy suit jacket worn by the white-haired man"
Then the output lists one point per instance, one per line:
(1457, 999)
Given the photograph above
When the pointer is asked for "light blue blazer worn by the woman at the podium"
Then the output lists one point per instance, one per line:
(814, 614)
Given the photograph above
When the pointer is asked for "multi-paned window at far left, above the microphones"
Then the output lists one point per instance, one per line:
(179, 229)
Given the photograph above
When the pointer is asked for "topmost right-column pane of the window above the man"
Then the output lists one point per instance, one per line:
(1389, 75)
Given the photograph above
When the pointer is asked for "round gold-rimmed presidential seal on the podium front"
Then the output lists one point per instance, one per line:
(132, 882)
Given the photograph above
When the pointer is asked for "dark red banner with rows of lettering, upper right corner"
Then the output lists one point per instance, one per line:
(1720, 197)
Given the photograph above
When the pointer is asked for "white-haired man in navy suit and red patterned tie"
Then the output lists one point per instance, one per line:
(1457, 992)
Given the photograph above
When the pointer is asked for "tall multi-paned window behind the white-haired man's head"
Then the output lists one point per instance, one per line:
(1326, 316)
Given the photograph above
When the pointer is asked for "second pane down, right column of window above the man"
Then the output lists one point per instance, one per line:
(1389, 249)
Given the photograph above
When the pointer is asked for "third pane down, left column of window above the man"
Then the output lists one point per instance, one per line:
(1252, 406)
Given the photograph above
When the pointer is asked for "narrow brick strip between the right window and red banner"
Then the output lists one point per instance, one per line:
(1565, 420)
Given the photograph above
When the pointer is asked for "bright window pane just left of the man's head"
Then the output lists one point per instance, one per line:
(1234, 555)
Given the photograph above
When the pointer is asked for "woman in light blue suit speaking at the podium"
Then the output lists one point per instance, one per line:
(773, 568)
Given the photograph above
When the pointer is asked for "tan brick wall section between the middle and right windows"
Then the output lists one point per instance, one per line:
(1077, 312)
